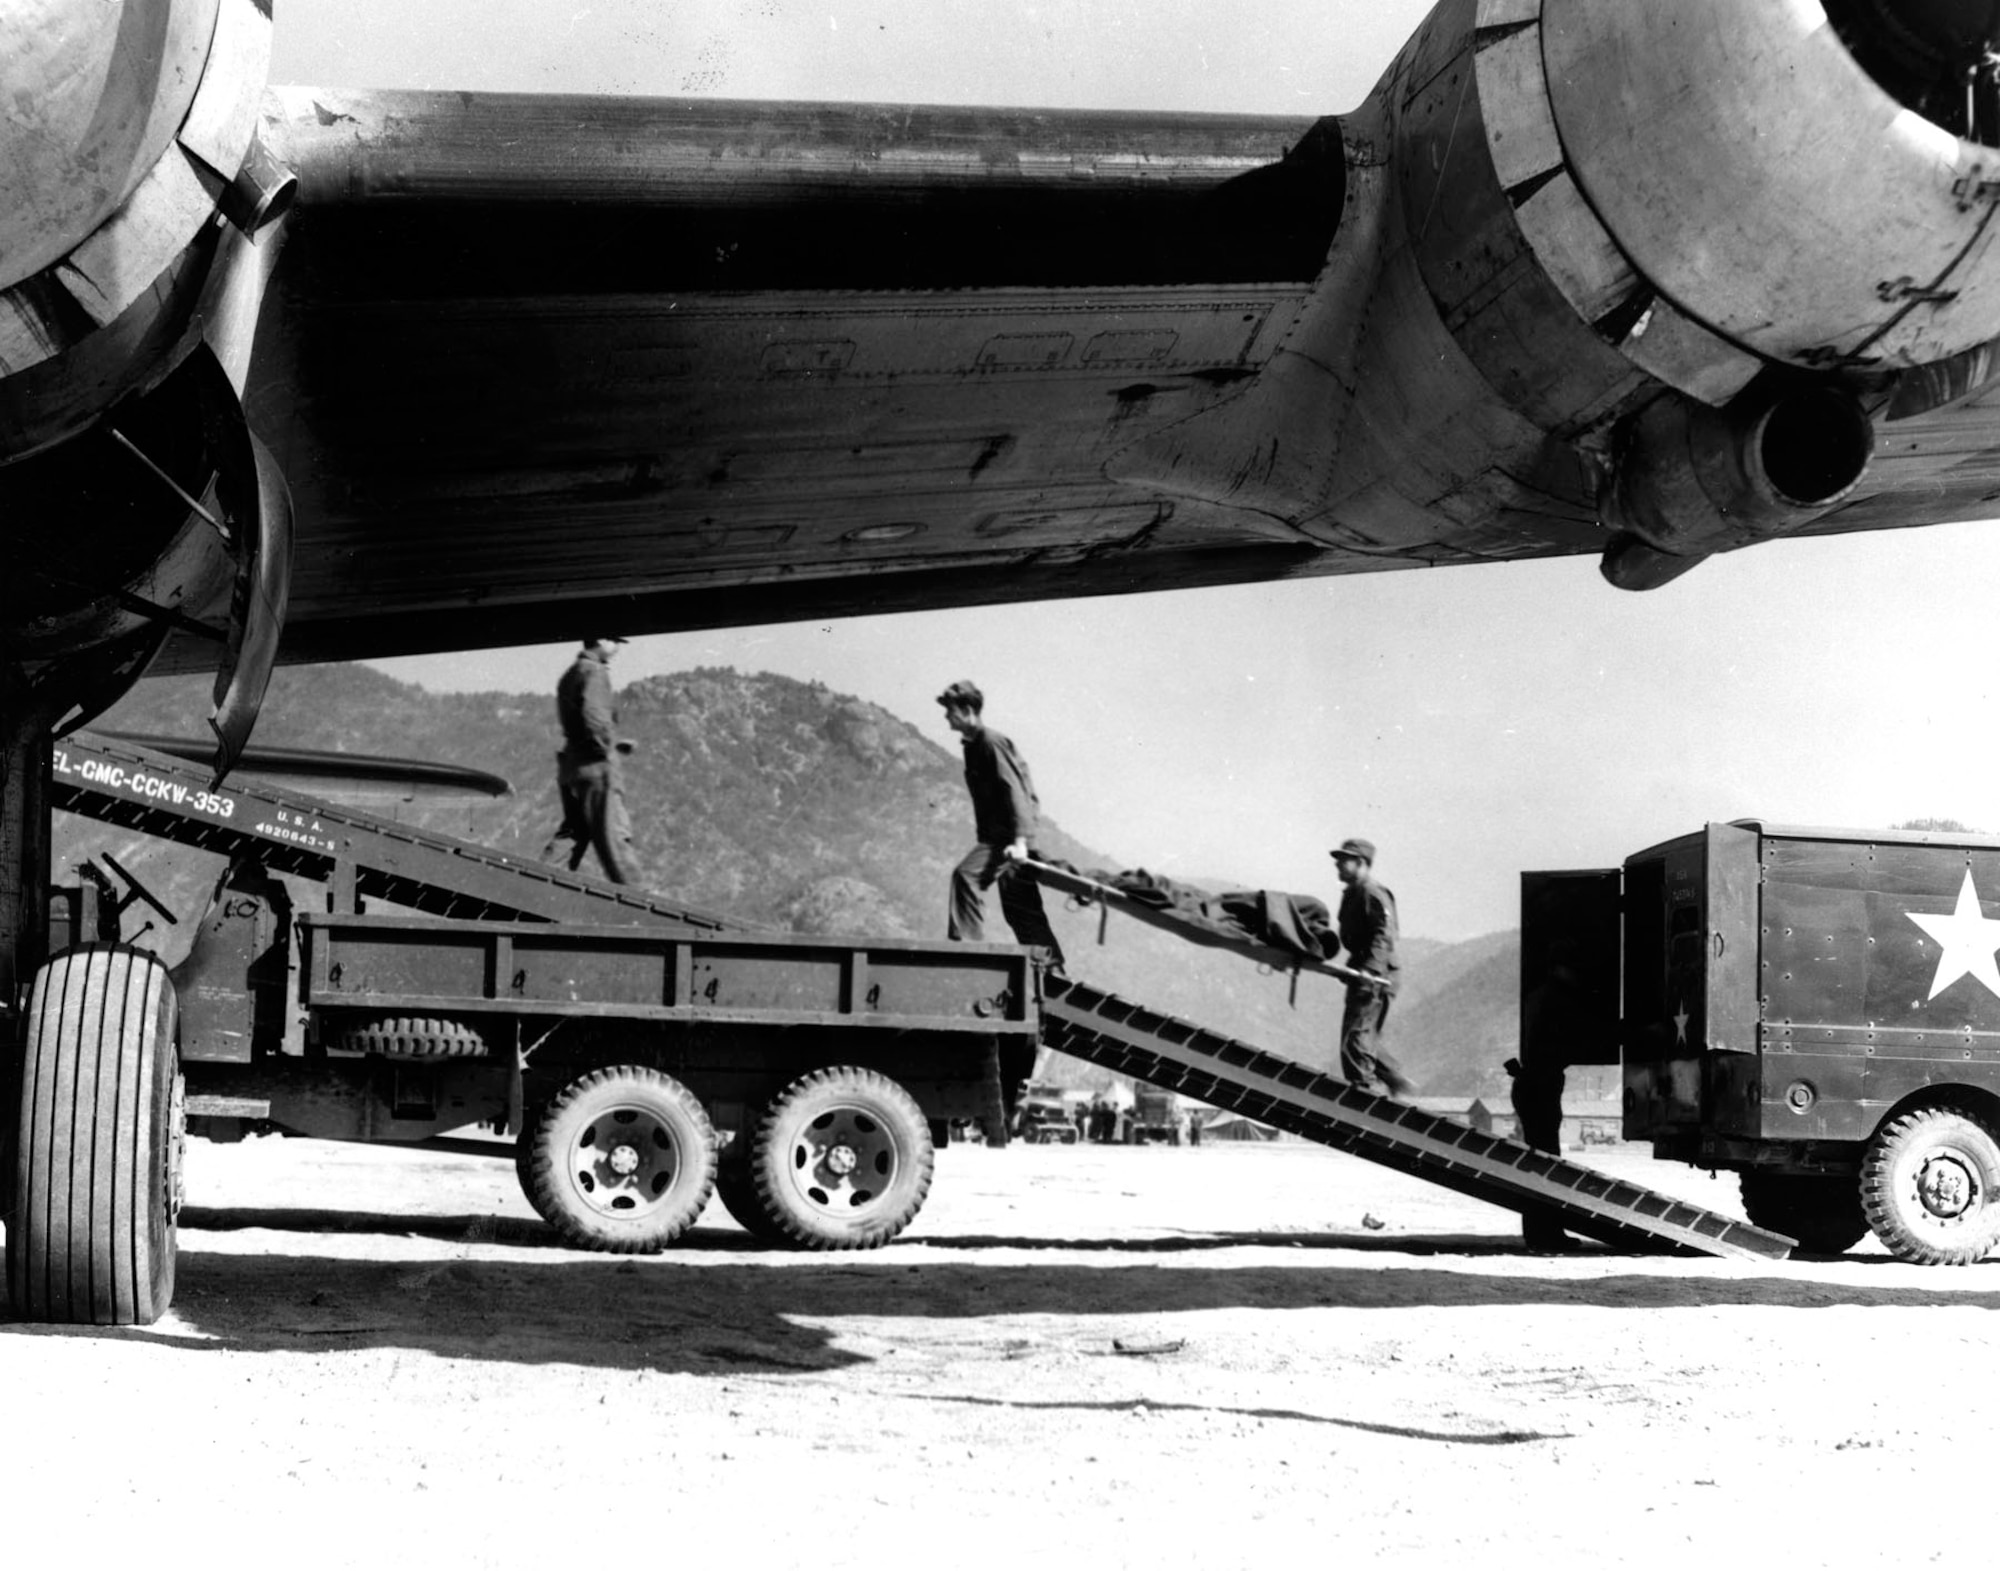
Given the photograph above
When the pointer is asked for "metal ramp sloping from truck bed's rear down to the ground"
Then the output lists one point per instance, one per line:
(1239, 1078)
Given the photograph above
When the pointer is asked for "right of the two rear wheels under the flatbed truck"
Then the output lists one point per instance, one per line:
(841, 1160)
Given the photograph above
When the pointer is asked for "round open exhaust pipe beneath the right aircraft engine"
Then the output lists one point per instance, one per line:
(1695, 481)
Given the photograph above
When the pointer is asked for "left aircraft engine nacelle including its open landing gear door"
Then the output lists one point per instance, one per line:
(135, 499)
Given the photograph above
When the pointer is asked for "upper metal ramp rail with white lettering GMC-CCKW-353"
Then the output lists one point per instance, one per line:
(351, 852)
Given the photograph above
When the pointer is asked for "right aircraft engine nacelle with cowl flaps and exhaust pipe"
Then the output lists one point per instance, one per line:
(1699, 245)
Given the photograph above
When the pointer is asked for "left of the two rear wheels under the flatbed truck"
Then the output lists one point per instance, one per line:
(623, 1160)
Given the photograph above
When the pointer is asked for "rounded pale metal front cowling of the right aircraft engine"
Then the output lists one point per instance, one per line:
(1771, 187)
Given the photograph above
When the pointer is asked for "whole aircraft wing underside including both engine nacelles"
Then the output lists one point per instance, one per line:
(315, 375)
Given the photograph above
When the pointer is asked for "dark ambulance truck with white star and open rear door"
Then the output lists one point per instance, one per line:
(1815, 1010)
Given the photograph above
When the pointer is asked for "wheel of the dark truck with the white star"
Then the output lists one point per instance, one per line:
(1931, 1186)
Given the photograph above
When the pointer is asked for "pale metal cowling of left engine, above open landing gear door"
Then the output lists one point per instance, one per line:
(129, 127)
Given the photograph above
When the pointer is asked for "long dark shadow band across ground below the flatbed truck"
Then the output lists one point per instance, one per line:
(719, 1306)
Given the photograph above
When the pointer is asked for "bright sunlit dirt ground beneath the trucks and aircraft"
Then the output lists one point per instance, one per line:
(1091, 1356)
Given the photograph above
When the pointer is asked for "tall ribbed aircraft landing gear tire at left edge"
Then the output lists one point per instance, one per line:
(97, 1164)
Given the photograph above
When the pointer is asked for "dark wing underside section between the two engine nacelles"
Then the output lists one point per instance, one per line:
(775, 363)
